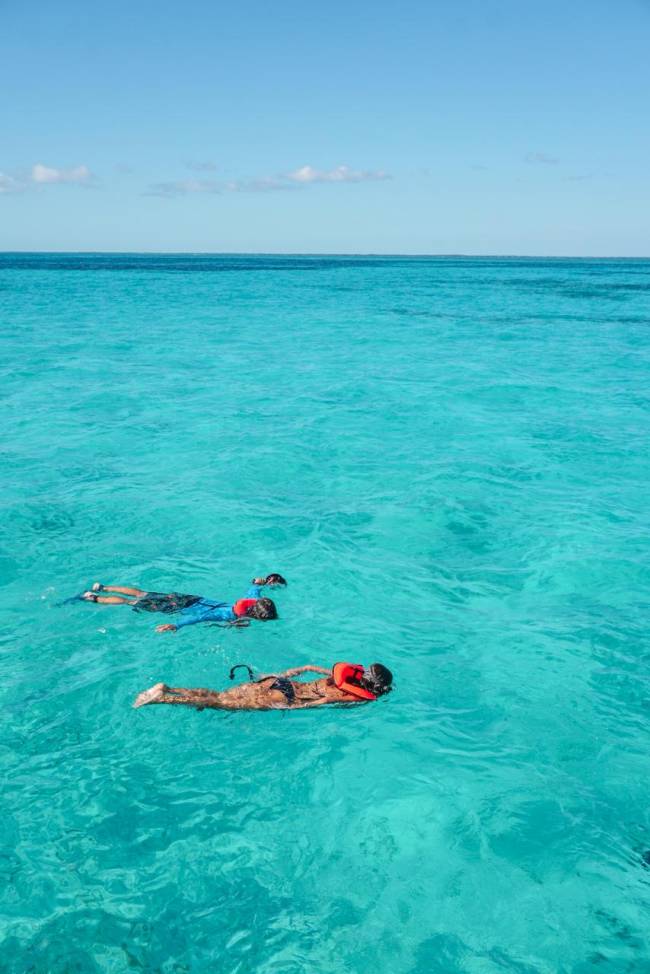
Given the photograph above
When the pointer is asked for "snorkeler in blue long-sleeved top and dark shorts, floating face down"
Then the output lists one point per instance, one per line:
(192, 608)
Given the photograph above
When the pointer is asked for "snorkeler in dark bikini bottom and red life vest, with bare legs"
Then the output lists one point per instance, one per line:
(345, 683)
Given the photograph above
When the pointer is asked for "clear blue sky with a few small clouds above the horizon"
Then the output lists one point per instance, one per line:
(421, 127)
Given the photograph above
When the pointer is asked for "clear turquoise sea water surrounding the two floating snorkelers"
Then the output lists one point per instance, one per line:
(449, 460)
